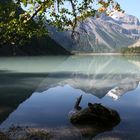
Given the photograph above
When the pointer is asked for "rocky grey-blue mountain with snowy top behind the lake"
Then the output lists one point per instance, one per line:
(104, 34)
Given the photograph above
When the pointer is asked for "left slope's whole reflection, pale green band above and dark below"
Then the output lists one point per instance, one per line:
(19, 78)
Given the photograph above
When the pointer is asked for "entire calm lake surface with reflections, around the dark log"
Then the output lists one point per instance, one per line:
(41, 91)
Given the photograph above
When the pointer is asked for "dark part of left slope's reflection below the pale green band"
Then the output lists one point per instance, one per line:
(14, 89)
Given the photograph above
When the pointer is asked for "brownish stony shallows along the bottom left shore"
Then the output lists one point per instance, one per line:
(28, 133)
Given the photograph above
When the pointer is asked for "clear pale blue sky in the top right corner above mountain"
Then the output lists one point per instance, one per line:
(131, 7)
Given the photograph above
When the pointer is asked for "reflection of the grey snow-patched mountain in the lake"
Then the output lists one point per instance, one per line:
(95, 75)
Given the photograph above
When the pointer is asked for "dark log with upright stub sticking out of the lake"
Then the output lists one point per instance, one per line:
(94, 113)
